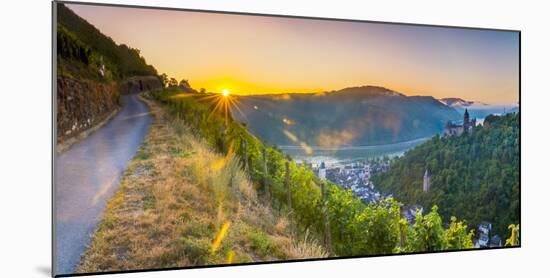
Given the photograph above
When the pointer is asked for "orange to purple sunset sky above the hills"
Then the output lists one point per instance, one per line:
(260, 55)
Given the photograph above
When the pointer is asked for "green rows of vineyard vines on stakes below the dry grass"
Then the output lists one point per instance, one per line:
(346, 225)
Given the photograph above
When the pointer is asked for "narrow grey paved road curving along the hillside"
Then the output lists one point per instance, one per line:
(87, 175)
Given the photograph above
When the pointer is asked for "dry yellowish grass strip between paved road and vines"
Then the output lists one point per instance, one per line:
(181, 204)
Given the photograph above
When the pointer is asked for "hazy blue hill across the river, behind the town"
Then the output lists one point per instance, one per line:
(366, 115)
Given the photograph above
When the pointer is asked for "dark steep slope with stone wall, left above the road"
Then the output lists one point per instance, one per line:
(91, 72)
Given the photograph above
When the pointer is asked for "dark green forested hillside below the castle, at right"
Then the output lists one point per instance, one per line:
(474, 176)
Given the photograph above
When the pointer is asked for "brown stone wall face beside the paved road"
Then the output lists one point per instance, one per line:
(82, 104)
